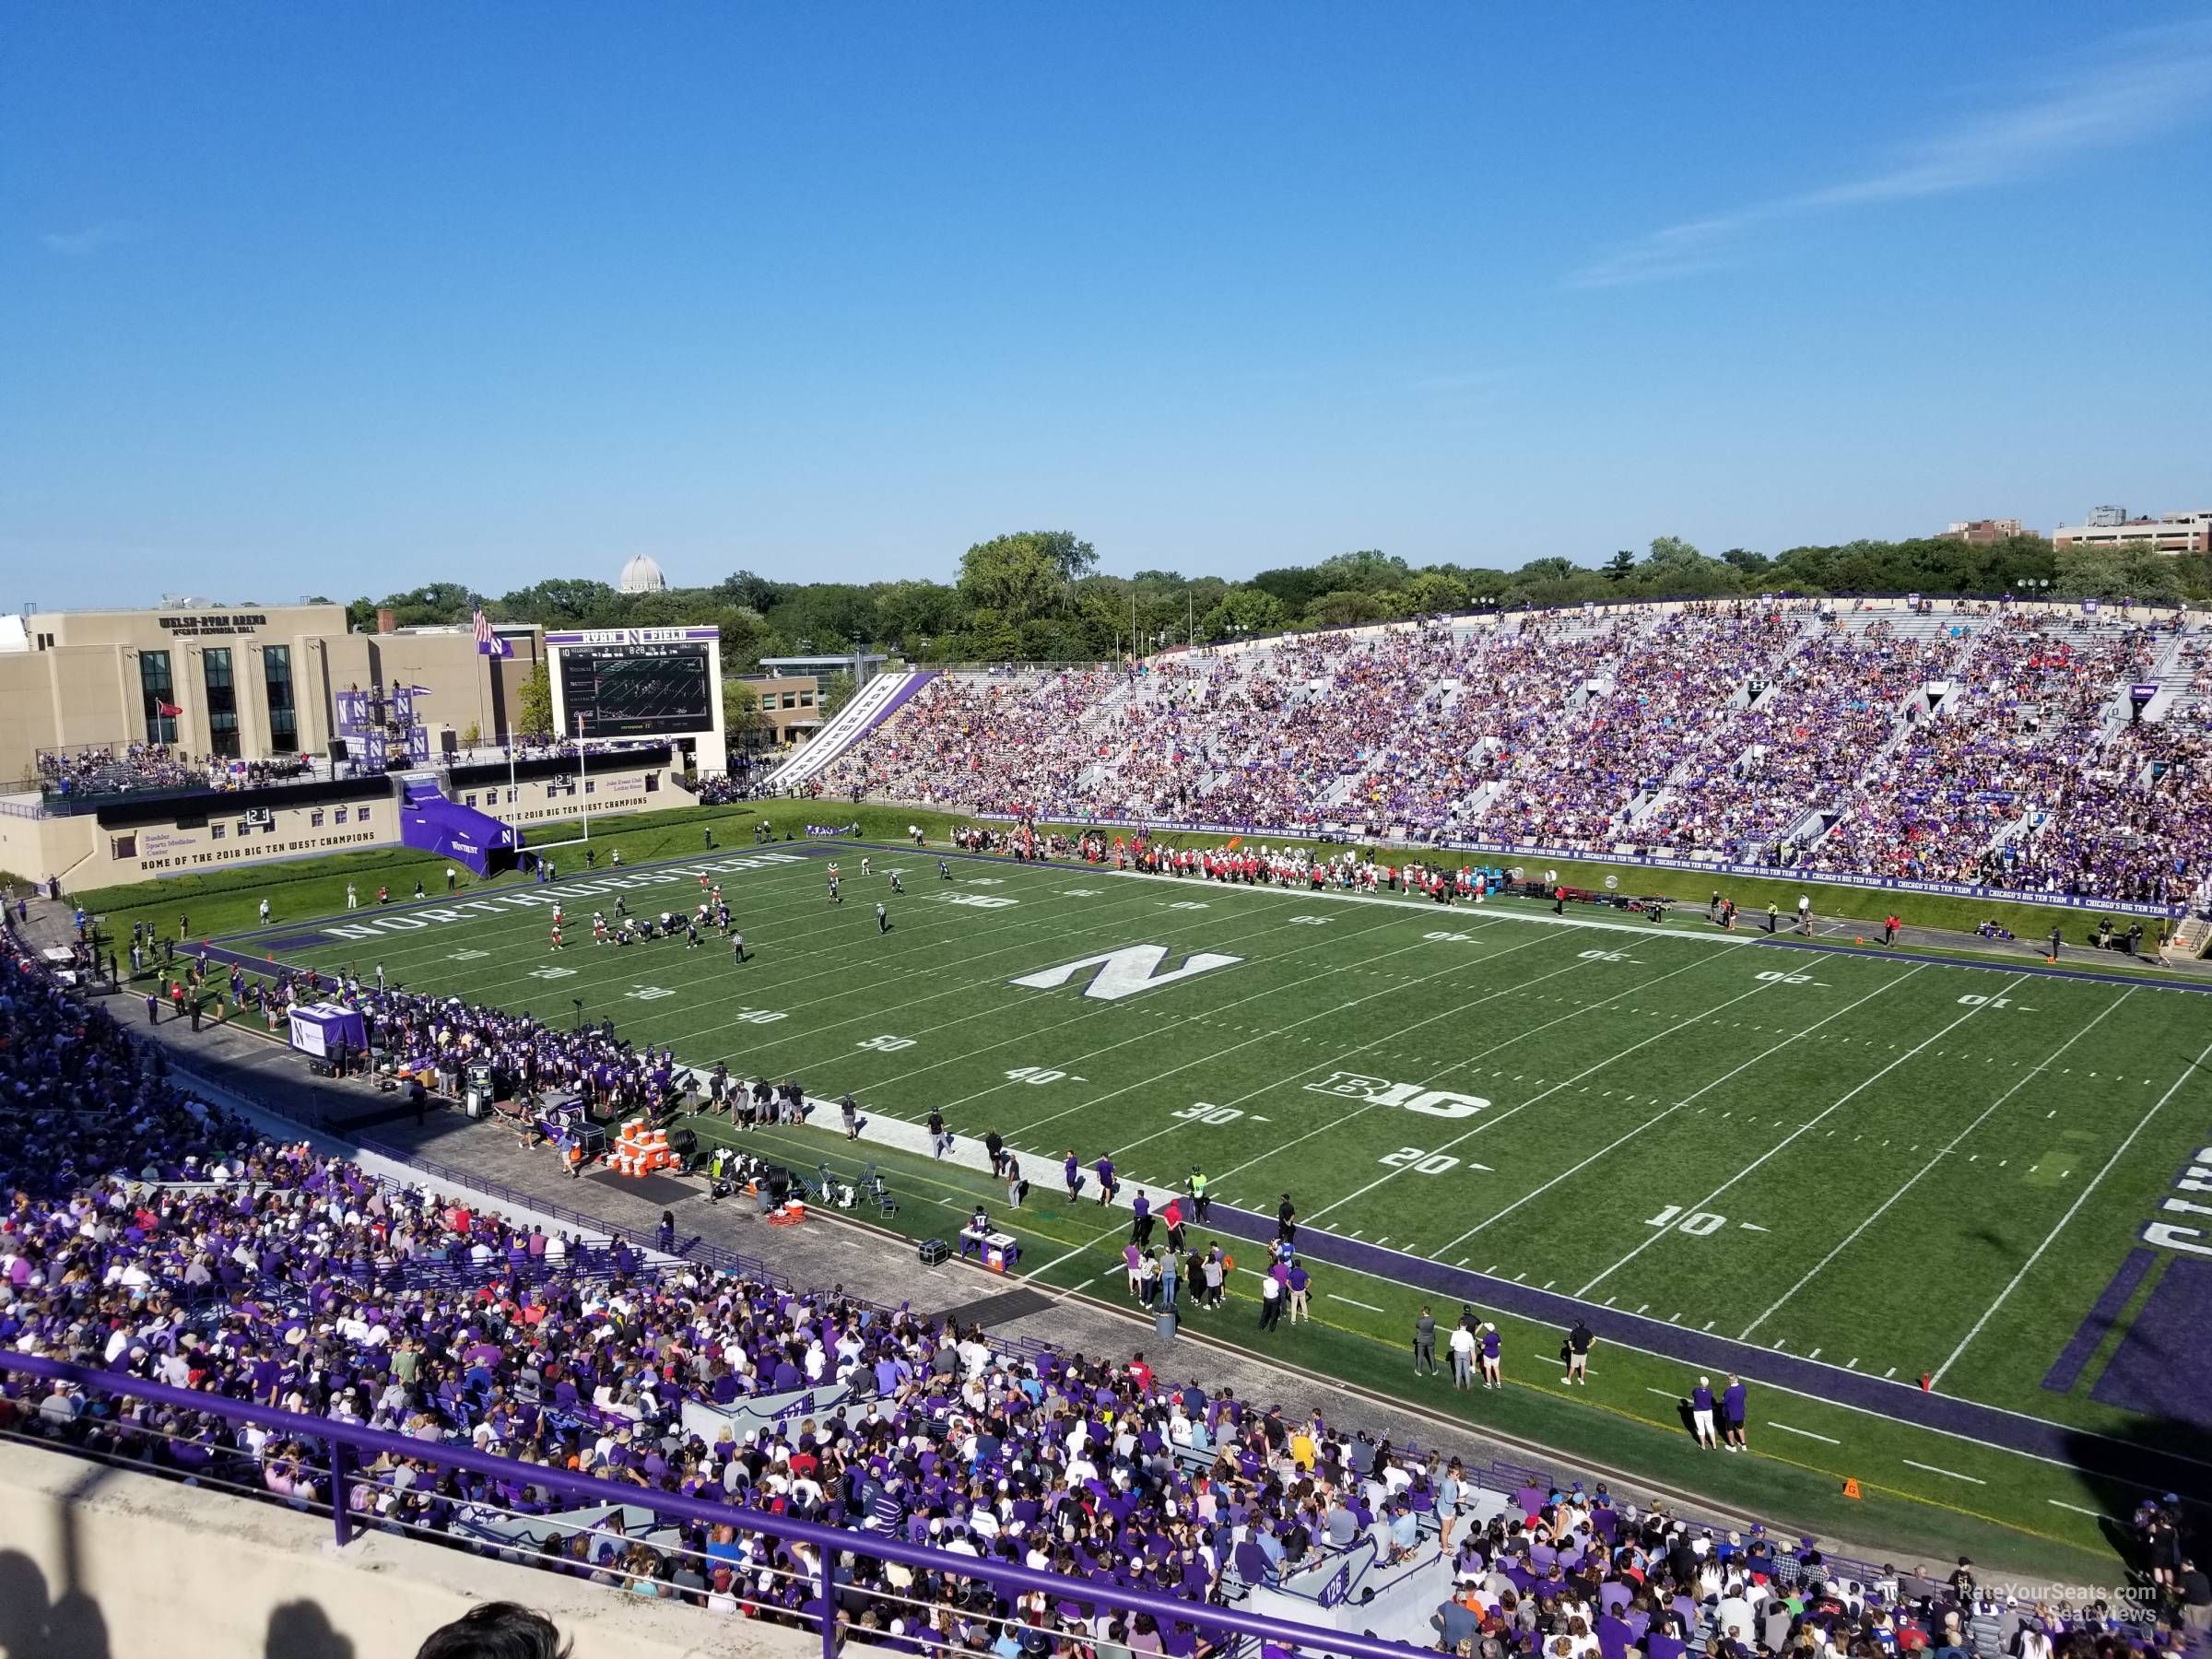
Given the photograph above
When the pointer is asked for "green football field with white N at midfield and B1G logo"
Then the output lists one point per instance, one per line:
(1884, 1165)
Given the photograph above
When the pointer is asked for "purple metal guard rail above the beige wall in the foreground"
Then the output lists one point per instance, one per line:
(348, 1448)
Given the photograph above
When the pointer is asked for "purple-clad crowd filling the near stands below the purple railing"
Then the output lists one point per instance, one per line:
(156, 1238)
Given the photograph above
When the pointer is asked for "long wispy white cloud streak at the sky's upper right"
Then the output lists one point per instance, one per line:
(2140, 87)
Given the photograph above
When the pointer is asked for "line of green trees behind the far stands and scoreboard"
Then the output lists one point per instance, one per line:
(1039, 596)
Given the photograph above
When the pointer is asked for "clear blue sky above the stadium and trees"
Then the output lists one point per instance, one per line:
(351, 298)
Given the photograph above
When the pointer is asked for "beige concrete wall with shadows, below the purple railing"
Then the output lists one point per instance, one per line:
(109, 1565)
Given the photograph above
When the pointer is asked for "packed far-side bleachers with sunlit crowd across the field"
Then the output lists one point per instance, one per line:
(1976, 744)
